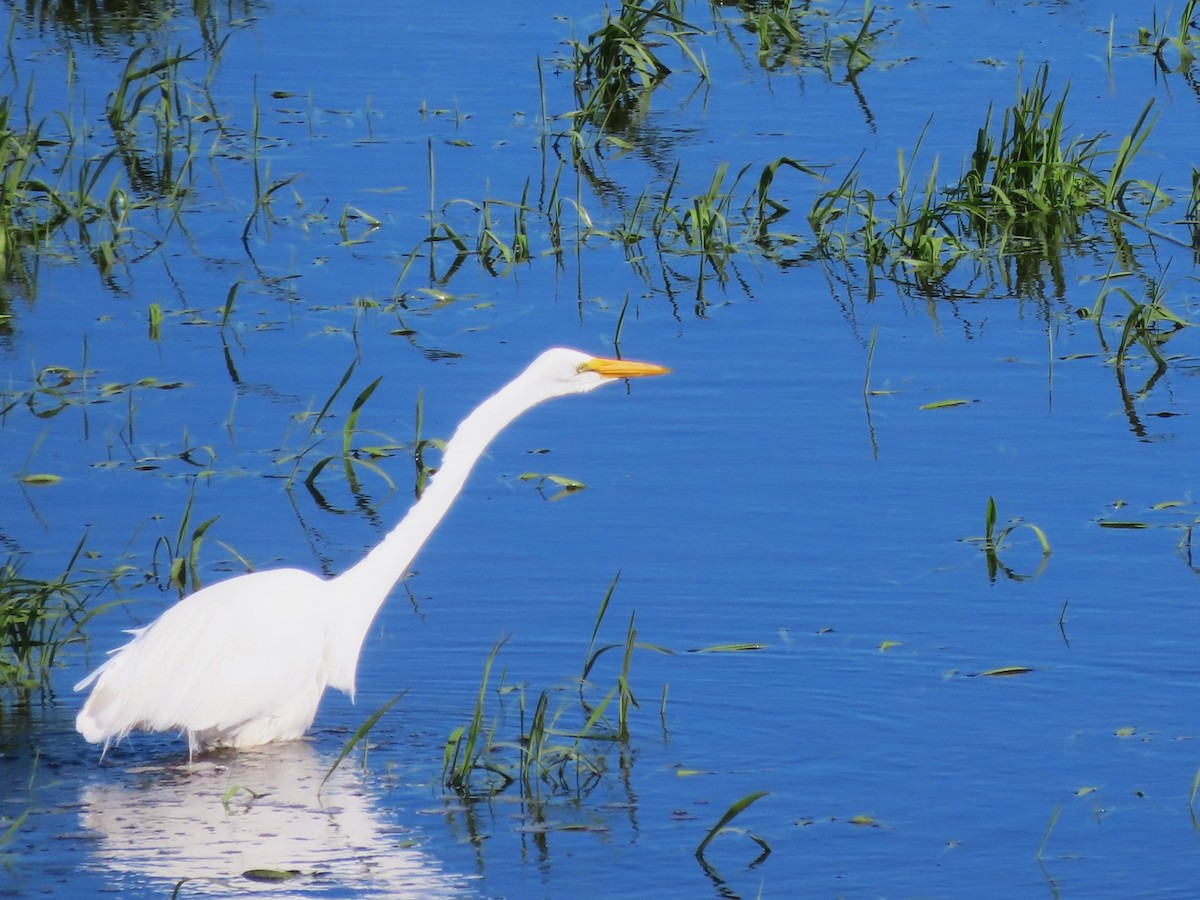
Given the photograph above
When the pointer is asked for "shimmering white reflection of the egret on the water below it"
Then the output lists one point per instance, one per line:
(220, 818)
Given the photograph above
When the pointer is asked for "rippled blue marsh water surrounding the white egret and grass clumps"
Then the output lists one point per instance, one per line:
(752, 497)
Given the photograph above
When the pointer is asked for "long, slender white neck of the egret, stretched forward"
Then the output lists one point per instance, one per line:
(362, 590)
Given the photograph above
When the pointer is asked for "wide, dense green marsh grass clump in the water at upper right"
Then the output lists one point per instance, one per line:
(1023, 196)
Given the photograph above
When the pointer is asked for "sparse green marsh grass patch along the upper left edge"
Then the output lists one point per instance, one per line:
(107, 195)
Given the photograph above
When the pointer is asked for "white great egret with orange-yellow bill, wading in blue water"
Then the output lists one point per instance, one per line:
(245, 662)
